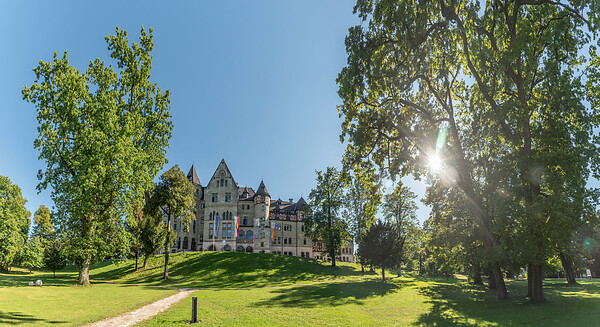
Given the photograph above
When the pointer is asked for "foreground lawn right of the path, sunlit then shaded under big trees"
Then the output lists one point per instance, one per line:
(403, 301)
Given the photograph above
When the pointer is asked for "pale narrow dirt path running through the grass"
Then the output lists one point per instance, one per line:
(146, 312)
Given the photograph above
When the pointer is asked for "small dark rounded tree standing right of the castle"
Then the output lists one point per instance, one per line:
(382, 246)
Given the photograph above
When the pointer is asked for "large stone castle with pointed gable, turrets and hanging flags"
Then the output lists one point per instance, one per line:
(265, 225)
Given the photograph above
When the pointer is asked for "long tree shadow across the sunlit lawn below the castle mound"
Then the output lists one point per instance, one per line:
(331, 294)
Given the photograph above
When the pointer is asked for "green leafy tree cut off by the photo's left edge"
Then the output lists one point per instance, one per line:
(14, 222)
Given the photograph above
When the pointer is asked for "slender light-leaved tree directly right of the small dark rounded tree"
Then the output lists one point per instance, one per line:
(400, 209)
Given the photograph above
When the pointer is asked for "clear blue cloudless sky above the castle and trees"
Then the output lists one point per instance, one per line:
(252, 82)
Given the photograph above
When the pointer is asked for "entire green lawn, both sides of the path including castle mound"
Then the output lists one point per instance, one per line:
(262, 289)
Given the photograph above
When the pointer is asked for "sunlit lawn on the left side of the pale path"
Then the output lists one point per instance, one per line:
(59, 302)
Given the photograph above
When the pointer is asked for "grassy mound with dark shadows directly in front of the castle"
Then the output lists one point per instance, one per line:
(226, 269)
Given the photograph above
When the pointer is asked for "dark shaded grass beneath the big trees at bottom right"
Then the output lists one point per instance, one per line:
(456, 303)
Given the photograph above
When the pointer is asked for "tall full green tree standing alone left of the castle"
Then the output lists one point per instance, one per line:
(103, 135)
